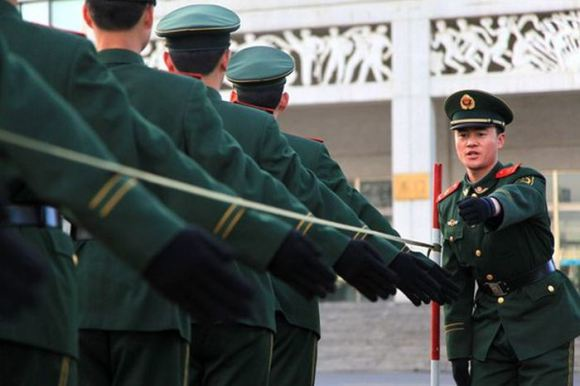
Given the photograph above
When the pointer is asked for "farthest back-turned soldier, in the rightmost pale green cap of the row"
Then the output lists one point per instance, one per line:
(258, 75)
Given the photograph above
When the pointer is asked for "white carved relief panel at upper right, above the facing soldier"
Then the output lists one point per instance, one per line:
(519, 43)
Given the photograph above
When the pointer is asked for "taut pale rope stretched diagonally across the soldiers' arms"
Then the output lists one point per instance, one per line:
(98, 163)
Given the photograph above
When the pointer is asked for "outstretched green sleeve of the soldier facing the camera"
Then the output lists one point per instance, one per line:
(522, 199)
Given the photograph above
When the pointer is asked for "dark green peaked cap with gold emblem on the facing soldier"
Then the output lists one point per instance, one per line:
(475, 108)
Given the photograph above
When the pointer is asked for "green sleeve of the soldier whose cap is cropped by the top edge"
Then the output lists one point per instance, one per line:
(220, 154)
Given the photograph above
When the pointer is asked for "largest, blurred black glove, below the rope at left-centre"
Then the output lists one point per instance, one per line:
(196, 272)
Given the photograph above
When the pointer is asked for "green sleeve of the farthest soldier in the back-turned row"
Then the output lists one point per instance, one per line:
(331, 174)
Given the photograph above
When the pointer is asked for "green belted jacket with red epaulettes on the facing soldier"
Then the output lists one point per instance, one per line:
(537, 317)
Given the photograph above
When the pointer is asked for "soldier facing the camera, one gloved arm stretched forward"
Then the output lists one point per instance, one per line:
(520, 326)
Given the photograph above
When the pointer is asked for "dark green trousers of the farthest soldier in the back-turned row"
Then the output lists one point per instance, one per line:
(294, 357)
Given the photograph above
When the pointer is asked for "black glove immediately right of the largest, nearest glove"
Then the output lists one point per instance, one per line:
(297, 262)
